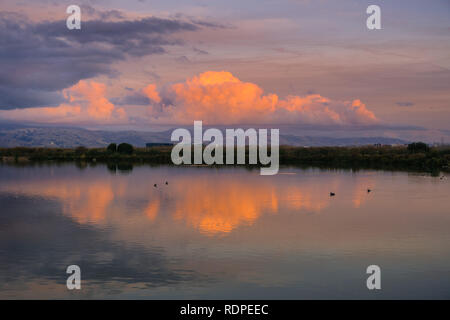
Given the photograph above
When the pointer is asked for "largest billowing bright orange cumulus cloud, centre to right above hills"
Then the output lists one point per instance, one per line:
(221, 98)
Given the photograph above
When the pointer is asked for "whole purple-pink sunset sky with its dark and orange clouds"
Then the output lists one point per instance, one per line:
(295, 64)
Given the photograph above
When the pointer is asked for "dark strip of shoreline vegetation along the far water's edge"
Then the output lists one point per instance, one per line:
(414, 157)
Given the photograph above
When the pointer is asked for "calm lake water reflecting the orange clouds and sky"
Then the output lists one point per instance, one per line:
(222, 233)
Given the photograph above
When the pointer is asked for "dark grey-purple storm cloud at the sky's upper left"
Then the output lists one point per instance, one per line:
(38, 59)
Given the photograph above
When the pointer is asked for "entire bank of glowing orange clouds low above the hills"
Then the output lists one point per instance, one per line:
(217, 98)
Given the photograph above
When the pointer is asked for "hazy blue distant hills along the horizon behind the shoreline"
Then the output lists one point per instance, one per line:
(30, 136)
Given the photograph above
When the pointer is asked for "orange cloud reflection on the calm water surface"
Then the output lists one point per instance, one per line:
(210, 201)
